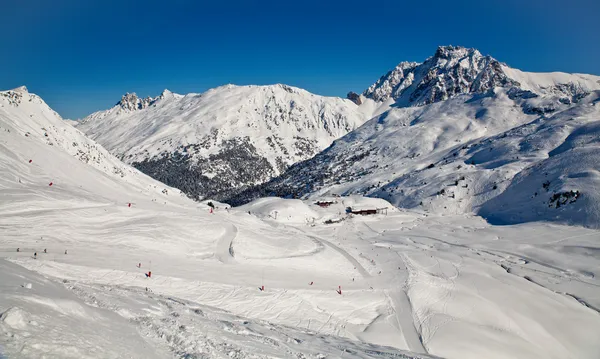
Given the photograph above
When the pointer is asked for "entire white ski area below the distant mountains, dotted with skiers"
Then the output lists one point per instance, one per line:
(277, 278)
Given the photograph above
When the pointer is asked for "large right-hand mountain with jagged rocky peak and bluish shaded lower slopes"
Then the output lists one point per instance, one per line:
(468, 134)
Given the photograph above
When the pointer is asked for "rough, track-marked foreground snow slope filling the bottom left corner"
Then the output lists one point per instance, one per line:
(42, 317)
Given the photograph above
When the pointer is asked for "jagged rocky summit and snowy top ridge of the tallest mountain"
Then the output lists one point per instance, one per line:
(455, 70)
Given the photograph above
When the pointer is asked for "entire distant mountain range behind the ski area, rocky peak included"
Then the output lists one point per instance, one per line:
(458, 133)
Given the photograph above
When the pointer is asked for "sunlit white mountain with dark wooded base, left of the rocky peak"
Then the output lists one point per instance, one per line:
(226, 138)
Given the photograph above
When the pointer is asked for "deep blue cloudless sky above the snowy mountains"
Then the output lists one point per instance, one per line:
(82, 55)
